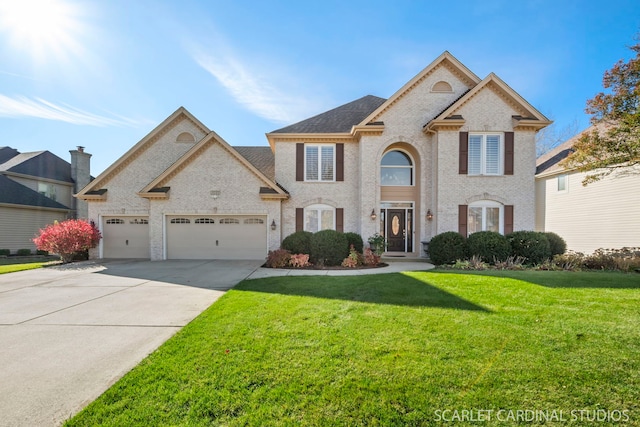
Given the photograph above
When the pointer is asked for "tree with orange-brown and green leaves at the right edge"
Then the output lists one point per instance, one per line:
(613, 143)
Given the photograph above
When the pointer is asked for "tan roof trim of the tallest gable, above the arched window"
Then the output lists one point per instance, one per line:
(445, 59)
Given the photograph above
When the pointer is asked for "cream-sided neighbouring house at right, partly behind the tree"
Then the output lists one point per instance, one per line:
(603, 214)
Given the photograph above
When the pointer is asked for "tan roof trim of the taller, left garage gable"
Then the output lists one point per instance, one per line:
(140, 147)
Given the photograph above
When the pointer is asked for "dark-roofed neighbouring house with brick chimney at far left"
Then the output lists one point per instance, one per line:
(37, 189)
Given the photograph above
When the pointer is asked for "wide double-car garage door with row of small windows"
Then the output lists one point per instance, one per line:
(216, 237)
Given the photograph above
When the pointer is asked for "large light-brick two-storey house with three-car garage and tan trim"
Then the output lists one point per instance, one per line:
(447, 151)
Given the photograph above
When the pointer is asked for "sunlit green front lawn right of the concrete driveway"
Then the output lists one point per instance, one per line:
(419, 348)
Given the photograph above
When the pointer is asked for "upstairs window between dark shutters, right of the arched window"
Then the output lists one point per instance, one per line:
(486, 154)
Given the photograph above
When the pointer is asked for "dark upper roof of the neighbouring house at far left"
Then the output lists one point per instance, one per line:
(41, 164)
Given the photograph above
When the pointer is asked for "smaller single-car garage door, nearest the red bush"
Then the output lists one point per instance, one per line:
(125, 237)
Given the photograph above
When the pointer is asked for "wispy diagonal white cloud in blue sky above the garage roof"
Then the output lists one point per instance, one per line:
(256, 92)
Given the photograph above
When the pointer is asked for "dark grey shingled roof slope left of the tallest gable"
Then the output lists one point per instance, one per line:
(338, 120)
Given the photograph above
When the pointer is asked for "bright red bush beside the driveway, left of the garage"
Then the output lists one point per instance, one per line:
(67, 238)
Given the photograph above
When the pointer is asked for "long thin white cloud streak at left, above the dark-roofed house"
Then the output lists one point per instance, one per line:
(22, 106)
